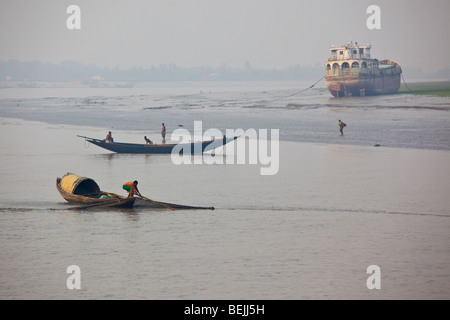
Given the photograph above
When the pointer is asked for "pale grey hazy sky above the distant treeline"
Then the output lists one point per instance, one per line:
(267, 33)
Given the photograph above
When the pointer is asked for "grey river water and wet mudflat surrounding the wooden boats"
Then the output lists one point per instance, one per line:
(335, 206)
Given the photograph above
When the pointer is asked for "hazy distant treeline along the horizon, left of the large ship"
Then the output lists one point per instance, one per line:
(76, 71)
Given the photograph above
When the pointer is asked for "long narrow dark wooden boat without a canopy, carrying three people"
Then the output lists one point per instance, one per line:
(192, 148)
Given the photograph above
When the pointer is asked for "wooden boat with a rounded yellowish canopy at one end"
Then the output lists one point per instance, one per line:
(85, 191)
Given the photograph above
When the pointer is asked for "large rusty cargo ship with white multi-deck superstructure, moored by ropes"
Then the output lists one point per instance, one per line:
(350, 71)
